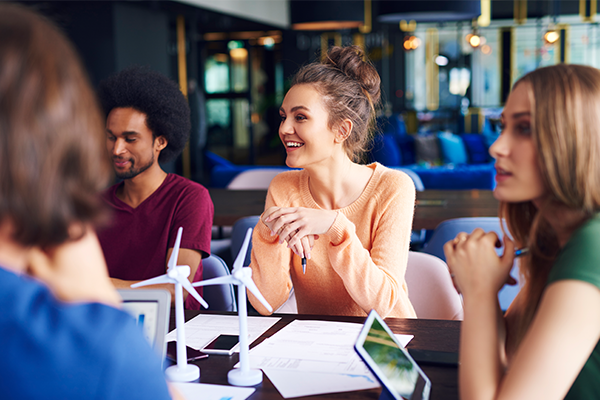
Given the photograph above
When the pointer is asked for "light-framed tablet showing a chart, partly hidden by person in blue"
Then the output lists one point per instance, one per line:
(151, 310)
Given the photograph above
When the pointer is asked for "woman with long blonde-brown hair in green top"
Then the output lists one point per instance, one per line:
(548, 183)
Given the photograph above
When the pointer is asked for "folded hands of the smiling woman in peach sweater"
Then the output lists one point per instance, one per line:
(298, 226)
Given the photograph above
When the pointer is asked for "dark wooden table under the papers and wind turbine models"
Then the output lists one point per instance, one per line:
(429, 335)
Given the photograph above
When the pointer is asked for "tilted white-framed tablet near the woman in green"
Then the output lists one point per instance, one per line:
(399, 375)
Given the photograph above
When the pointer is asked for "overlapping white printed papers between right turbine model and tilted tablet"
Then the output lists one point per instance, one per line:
(313, 357)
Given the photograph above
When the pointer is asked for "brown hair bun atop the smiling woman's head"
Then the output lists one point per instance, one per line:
(352, 62)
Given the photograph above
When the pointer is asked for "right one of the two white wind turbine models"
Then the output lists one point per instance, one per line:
(242, 277)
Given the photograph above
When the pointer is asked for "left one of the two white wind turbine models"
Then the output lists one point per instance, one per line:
(178, 274)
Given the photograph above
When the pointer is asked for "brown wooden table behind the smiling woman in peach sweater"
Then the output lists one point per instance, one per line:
(433, 206)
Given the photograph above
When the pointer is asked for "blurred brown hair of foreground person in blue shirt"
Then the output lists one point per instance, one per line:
(51, 133)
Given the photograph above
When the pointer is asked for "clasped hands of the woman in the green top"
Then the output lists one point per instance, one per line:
(474, 264)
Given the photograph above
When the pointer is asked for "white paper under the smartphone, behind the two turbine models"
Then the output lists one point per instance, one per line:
(203, 328)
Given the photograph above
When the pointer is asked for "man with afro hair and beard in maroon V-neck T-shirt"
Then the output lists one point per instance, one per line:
(147, 121)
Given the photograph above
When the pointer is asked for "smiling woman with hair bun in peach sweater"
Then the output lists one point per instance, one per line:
(351, 222)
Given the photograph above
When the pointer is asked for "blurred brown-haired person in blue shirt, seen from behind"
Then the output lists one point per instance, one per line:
(63, 336)
